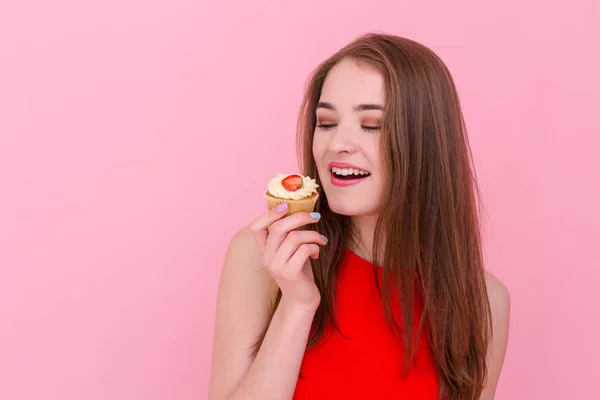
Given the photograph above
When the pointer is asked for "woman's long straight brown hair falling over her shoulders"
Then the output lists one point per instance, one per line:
(427, 234)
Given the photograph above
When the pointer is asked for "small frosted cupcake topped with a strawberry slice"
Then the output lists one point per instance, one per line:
(298, 191)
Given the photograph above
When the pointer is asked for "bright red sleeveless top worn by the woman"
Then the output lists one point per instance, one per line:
(367, 361)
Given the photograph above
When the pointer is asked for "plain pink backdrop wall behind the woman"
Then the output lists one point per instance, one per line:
(136, 137)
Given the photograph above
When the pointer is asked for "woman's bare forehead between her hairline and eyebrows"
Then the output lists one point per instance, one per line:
(351, 83)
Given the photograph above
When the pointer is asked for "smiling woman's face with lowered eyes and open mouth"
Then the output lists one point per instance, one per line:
(347, 138)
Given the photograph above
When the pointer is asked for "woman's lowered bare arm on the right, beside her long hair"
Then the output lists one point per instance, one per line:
(500, 305)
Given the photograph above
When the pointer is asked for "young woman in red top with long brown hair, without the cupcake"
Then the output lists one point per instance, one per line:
(382, 293)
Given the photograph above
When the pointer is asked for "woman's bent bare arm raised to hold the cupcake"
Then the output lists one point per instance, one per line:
(245, 296)
